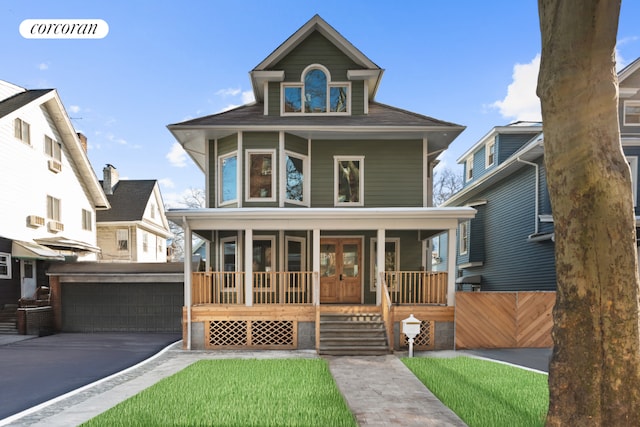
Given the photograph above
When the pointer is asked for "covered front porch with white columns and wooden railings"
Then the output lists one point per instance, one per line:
(271, 273)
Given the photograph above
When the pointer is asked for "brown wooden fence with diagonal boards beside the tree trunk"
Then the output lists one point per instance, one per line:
(504, 319)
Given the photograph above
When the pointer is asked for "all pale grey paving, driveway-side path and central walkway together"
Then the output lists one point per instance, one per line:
(380, 390)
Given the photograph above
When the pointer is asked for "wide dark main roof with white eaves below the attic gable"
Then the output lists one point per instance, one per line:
(382, 122)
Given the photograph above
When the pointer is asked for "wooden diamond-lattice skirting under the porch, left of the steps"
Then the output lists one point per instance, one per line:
(252, 334)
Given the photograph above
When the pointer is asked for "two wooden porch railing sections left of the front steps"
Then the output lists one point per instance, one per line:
(269, 287)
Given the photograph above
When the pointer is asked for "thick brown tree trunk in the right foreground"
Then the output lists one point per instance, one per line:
(594, 376)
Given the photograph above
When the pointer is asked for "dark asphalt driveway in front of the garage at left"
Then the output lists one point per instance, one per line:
(39, 369)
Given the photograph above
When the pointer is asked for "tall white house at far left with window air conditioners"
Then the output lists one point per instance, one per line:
(49, 194)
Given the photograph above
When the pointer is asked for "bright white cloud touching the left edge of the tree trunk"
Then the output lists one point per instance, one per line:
(521, 101)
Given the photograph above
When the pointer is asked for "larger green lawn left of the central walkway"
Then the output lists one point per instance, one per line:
(236, 392)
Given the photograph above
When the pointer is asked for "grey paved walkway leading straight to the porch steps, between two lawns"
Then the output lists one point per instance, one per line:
(382, 391)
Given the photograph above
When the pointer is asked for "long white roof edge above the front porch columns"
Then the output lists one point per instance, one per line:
(321, 218)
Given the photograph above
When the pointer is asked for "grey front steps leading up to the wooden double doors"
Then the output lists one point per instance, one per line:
(361, 334)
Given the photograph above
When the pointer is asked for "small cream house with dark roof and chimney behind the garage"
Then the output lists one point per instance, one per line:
(135, 229)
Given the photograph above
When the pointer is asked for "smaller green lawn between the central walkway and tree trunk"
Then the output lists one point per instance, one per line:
(485, 393)
